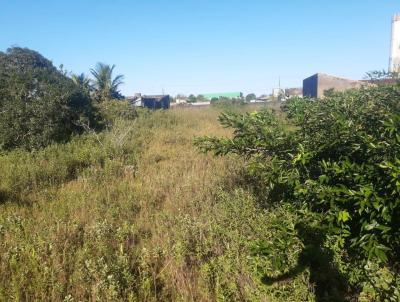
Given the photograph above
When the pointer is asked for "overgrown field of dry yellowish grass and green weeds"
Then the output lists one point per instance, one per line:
(136, 213)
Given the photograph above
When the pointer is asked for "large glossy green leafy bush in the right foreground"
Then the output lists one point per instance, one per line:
(338, 155)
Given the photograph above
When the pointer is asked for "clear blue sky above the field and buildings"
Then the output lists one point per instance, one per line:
(200, 46)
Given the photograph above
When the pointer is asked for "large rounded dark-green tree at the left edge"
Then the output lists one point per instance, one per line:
(38, 103)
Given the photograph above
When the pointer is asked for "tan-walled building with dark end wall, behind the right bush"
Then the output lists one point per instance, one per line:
(316, 85)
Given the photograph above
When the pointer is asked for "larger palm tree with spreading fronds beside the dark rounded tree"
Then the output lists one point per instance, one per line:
(106, 87)
